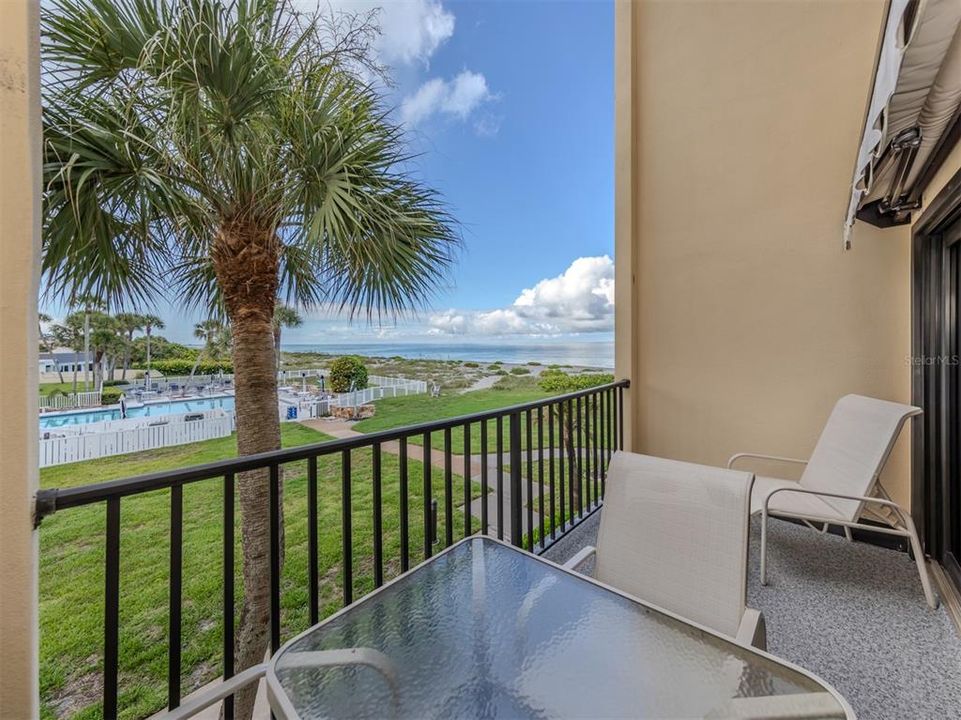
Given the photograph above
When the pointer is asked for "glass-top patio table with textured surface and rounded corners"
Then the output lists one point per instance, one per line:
(484, 630)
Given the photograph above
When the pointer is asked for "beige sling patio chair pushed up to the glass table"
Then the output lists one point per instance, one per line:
(676, 535)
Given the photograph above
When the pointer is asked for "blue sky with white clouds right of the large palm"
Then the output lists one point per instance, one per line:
(510, 106)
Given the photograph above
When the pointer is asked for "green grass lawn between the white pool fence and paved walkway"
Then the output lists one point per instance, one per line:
(72, 561)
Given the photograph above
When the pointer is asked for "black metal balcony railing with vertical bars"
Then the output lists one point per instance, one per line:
(582, 430)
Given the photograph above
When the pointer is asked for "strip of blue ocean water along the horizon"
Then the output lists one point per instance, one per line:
(592, 354)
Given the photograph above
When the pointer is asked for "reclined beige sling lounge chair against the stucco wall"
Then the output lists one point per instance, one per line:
(840, 482)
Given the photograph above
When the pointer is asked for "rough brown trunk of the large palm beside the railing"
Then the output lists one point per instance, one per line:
(246, 261)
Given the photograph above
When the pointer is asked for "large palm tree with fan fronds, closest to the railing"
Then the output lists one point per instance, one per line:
(230, 153)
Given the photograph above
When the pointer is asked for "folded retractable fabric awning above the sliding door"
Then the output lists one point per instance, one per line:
(914, 106)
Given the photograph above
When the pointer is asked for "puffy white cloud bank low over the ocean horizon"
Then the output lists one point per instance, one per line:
(581, 299)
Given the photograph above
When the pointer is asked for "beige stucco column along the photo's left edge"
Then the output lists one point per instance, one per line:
(19, 270)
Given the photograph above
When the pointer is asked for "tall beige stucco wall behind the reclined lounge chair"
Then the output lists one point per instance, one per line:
(748, 320)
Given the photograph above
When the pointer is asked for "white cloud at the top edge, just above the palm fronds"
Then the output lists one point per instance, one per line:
(411, 30)
